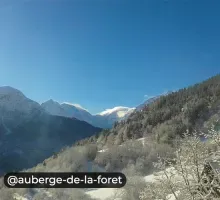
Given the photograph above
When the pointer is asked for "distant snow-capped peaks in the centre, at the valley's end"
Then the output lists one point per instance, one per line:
(105, 119)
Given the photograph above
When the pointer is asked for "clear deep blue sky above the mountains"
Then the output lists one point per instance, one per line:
(106, 53)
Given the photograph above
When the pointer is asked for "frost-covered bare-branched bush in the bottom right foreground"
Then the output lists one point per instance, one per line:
(183, 180)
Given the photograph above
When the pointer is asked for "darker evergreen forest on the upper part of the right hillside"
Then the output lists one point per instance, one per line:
(195, 107)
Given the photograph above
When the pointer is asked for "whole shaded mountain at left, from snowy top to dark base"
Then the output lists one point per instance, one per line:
(28, 134)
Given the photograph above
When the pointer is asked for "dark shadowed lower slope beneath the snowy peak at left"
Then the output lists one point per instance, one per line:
(38, 138)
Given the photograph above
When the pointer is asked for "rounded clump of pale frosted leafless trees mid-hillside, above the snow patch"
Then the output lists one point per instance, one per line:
(135, 153)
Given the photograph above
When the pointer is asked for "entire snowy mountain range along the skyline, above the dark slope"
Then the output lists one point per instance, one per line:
(12, 100)
